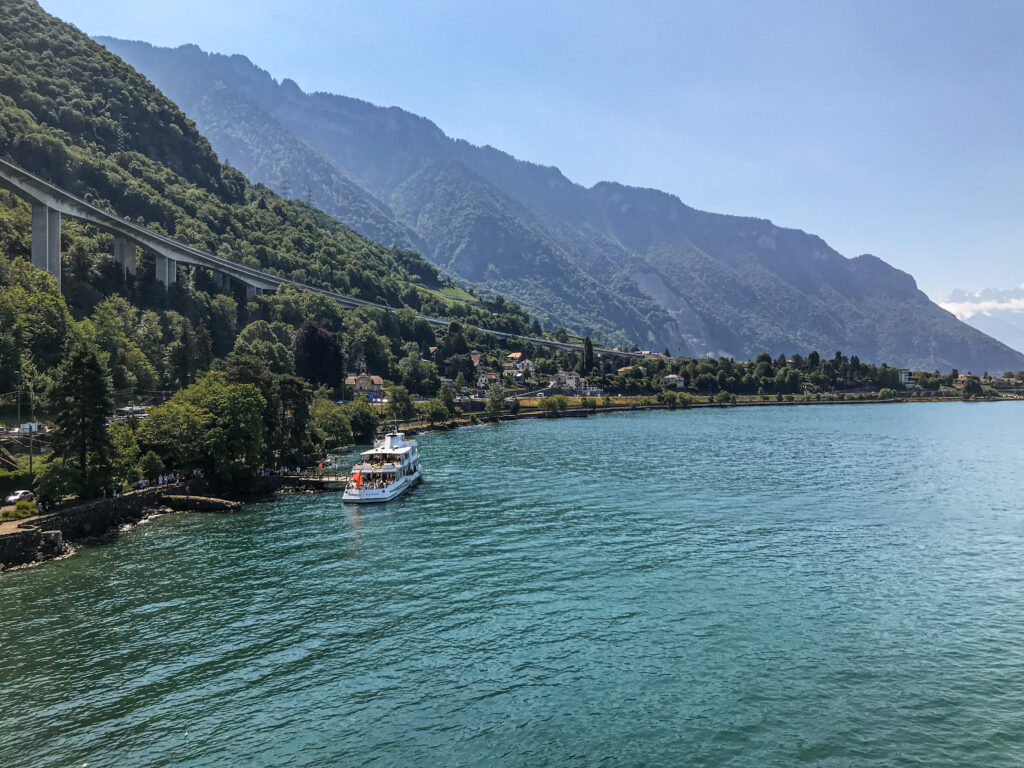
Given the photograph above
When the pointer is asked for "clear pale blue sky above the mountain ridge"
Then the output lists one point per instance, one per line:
(893, 129)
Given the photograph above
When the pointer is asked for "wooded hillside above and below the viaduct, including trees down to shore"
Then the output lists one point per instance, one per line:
(251, 383)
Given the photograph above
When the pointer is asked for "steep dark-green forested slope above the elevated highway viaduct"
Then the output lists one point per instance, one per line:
(78, 116)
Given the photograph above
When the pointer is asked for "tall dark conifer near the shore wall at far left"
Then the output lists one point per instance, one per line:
(82, 402)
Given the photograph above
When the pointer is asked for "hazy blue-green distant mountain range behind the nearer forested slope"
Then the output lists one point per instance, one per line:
(624, 264)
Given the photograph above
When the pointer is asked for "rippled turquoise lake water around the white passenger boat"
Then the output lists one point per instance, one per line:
(798, 586)
